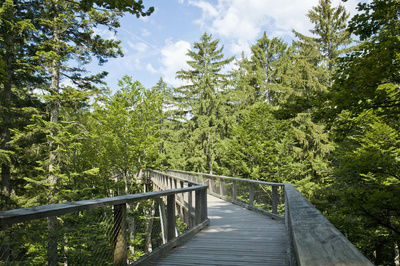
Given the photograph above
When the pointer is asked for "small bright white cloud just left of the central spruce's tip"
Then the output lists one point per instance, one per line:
(173, 58)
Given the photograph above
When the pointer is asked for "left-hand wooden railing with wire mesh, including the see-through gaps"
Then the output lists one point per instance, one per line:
(121, 230)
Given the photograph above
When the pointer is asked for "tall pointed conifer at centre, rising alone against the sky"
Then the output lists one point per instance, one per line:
(202, 102)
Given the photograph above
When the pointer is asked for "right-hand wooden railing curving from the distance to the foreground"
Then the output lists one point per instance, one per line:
(313, 239)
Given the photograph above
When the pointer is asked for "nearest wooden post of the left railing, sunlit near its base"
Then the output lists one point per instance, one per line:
(120, 245)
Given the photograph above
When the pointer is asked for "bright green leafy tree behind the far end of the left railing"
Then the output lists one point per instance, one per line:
(125, 128)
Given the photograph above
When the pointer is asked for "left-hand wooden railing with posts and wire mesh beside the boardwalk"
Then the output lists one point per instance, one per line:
(120, 207)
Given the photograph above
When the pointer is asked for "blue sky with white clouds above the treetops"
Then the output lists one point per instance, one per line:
(156, 46)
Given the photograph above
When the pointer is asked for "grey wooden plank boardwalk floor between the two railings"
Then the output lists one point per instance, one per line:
(236, 236)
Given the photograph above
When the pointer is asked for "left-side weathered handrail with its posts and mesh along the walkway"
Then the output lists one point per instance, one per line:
(121, 221)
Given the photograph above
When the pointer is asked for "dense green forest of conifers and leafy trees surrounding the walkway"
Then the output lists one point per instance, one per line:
(321, 112)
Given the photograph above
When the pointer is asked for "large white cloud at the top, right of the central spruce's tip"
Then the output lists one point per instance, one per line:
(242, 21)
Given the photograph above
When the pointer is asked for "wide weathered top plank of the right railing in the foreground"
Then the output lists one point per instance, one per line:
(316, 241)
